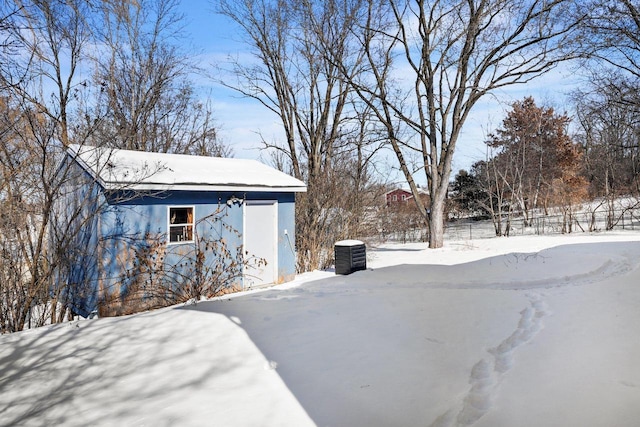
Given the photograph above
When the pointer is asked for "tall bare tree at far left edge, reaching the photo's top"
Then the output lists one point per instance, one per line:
(41, 90)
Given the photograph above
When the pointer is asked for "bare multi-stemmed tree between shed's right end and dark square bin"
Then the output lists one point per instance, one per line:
(293, 77)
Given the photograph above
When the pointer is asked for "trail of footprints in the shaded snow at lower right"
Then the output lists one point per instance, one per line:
(488, 372)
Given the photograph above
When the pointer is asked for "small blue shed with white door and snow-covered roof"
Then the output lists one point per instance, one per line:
(169, 223)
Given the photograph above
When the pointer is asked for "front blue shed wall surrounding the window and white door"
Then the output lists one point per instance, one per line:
(129, 226)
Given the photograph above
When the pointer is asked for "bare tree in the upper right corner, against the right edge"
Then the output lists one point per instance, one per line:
(608, 106)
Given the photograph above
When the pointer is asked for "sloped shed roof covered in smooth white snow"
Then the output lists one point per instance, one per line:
(137, 170)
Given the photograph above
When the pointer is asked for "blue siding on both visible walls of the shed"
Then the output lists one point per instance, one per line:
(127, 223)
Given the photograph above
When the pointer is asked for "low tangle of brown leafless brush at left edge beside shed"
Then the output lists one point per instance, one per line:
(34, 247)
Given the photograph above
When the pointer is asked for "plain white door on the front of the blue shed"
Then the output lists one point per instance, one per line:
(260, 240)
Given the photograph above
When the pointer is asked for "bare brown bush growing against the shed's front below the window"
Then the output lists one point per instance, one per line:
(150, 274)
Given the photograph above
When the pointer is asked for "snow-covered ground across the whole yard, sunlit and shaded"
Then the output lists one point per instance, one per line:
(525, 331)
